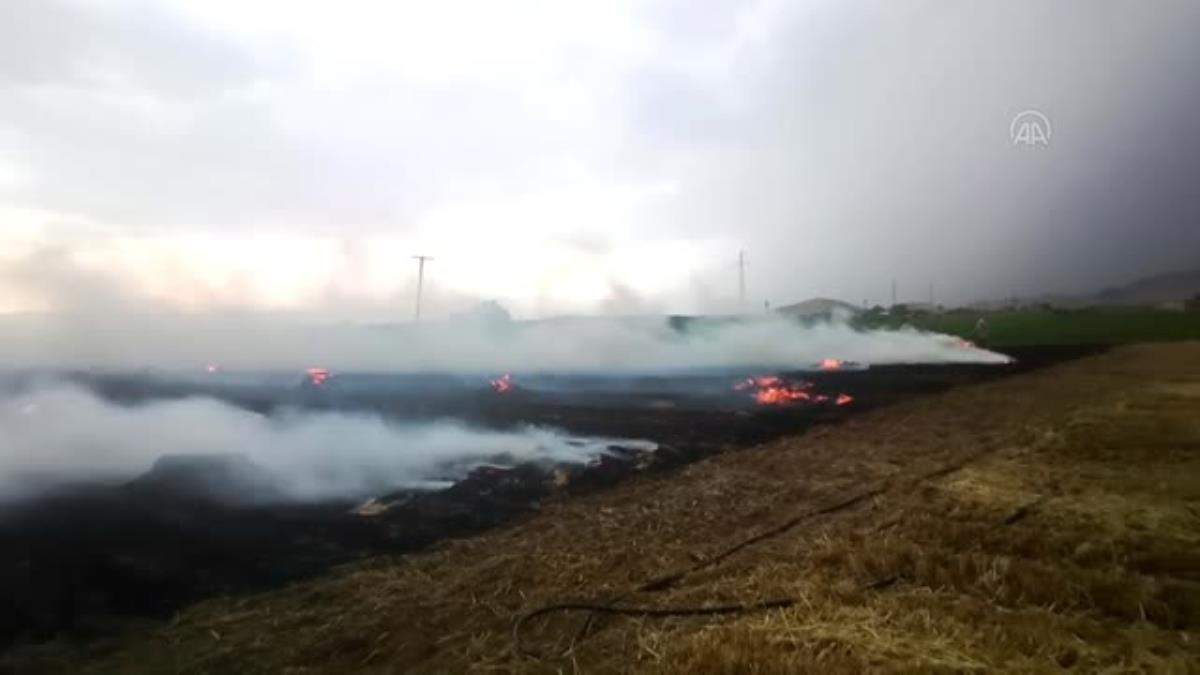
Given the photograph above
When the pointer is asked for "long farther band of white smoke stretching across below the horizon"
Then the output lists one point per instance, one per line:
(467, 345)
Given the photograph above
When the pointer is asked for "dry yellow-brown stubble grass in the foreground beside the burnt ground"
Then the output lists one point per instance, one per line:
(1071, 540)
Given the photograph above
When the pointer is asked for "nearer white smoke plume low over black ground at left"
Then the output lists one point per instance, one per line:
(61, 434)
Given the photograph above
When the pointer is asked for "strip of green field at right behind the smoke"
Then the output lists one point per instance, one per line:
(1097, 326)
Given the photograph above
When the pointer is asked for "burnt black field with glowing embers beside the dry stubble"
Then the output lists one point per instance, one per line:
(148, 547)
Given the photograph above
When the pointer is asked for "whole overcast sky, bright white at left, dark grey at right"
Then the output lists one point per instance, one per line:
(589, 157)
